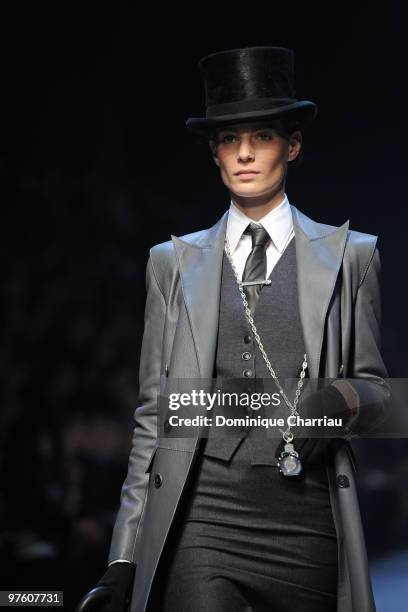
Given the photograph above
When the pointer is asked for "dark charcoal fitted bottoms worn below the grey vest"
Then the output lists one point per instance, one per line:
(248, 540)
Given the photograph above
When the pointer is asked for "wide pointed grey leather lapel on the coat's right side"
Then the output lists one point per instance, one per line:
(319, 253)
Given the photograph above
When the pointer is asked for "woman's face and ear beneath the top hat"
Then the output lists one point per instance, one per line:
(253, 157)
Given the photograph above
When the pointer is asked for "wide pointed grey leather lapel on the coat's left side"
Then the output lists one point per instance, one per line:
(199, 258)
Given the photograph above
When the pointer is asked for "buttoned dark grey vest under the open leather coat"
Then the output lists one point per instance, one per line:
(238, 356)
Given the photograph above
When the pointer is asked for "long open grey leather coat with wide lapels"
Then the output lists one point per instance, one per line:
(340, 309)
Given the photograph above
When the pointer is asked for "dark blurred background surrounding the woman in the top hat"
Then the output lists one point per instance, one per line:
(105, 169)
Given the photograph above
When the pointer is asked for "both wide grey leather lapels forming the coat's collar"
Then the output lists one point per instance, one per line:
(319, 253)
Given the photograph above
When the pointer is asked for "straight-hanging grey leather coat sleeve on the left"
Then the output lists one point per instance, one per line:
(134, 490)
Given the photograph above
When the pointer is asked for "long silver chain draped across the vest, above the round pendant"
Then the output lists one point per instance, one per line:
(287, 434)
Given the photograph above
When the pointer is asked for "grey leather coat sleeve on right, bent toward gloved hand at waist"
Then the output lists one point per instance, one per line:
(367, 371)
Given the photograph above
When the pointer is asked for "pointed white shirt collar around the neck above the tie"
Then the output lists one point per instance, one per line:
(277, 222)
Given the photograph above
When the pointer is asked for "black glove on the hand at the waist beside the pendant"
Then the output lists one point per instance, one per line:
(328, 402)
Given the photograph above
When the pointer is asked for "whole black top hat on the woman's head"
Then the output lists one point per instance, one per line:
(249, 84)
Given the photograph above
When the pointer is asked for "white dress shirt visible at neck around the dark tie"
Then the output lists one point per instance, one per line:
(277, 222)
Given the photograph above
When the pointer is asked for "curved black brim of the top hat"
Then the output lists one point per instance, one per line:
(303, 111)
